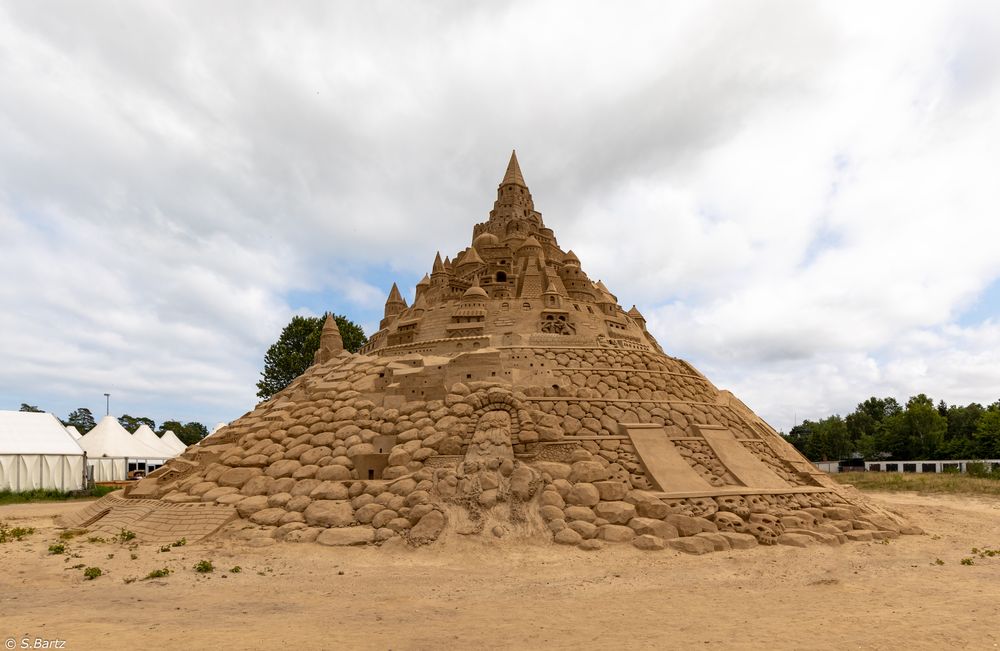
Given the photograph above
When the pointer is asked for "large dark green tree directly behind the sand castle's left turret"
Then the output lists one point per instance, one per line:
(293, 353)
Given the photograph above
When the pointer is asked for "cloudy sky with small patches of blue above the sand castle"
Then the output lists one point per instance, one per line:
(801, 198)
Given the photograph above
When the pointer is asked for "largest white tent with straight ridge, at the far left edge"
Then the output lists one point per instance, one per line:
(36, 452)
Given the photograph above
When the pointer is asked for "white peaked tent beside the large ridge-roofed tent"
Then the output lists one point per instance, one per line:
(112, 452)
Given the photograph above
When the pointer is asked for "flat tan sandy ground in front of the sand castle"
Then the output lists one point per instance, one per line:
(472, 594)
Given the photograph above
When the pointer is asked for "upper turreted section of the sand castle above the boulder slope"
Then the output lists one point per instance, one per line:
(513, 286)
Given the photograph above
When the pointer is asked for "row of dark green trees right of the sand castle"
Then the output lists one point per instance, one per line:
(881, 428)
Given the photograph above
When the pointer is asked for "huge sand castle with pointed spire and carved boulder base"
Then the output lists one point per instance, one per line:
(514, 398)
